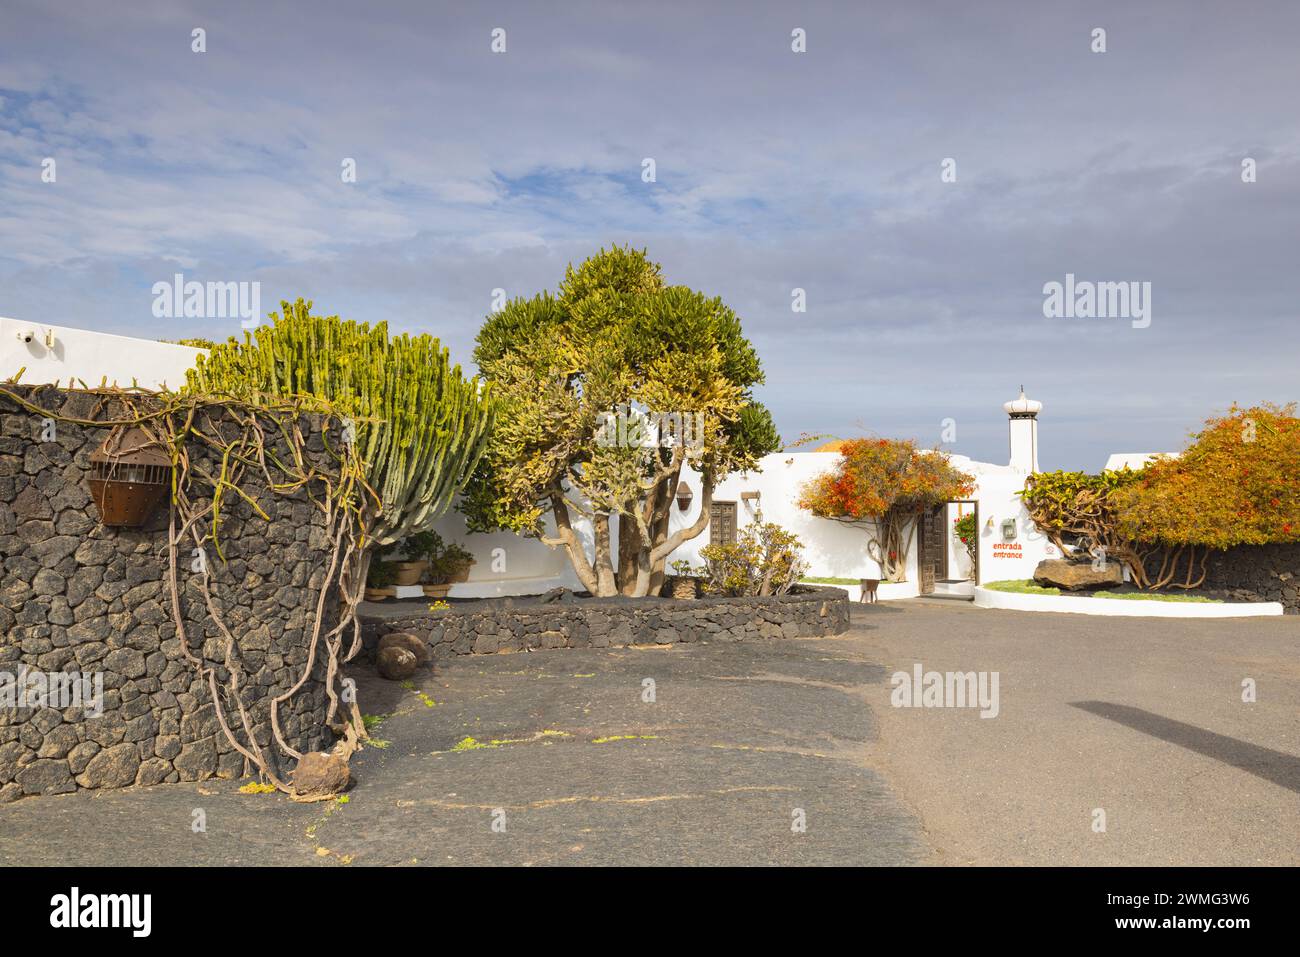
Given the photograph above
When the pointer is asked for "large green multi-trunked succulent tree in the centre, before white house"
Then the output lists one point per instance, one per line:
(608, 391)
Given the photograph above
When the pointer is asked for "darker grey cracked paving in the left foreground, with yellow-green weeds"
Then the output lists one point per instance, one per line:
(742, 743)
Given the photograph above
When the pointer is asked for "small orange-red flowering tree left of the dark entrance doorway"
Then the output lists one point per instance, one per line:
(883, 484)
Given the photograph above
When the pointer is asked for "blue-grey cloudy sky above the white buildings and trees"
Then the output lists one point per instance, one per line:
(822, 171)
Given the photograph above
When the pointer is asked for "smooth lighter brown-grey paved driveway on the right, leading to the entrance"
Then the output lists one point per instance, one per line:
(1141, 718)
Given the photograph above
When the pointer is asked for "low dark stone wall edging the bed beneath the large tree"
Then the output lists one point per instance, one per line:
(519, 625)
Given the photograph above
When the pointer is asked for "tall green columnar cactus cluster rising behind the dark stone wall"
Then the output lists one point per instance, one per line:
(421, 426)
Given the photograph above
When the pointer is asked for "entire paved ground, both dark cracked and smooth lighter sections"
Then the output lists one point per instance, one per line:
(569, 765)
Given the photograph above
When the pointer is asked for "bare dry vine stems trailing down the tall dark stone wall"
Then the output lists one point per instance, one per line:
(174, 423)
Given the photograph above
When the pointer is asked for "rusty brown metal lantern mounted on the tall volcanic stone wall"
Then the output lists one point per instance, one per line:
(129, 477)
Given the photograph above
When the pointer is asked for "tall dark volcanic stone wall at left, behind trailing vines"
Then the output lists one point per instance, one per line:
(80, 599)
